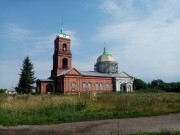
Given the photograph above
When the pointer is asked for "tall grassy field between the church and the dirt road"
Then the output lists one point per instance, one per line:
(47, 109)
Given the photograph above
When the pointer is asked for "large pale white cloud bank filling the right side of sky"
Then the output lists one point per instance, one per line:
(145, 47)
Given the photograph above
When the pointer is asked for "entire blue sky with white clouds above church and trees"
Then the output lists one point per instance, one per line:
(142, 35)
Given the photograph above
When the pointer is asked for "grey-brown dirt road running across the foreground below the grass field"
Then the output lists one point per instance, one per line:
(102, 127)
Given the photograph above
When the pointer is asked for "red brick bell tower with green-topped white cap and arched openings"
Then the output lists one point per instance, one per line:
(62, 58)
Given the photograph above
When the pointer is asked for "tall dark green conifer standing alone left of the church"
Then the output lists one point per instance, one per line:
(27, 78)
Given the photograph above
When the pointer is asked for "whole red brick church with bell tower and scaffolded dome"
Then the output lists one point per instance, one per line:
(66, 79)
